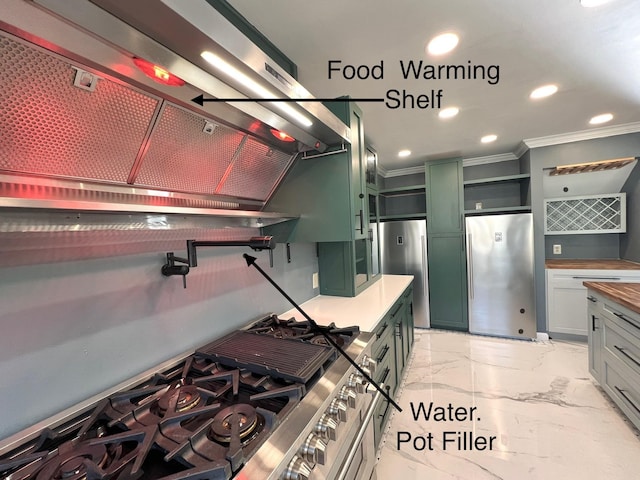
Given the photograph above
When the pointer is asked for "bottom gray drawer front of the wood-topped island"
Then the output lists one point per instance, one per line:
(620, 386)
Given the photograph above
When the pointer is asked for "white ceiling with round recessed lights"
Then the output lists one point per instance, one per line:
(592, 54)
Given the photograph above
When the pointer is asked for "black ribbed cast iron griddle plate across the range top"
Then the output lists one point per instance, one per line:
(287, 359)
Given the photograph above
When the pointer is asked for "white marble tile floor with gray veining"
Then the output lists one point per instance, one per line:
(504, 409)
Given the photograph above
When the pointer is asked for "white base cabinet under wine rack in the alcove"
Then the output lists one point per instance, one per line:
(566, 306)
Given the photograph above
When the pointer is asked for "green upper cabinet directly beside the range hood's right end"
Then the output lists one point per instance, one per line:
(328, 192)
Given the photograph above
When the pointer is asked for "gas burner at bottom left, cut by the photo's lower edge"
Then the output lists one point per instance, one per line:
(78, 463)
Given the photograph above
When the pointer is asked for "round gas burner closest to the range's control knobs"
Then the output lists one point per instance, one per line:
(244, 416)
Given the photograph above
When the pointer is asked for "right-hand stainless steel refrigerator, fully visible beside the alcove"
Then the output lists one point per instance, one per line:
(500, 275)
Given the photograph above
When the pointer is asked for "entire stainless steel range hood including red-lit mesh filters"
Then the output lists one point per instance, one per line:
(129, 143)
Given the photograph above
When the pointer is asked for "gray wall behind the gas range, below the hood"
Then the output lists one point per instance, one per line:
(71, 330)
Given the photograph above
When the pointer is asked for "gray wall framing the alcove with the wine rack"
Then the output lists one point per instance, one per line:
(566, 154)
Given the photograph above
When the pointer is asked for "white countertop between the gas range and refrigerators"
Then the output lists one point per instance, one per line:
(364, 310)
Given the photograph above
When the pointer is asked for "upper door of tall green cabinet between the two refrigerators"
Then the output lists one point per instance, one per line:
(445, 197)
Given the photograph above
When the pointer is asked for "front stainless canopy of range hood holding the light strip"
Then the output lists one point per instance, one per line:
(175, 33)
